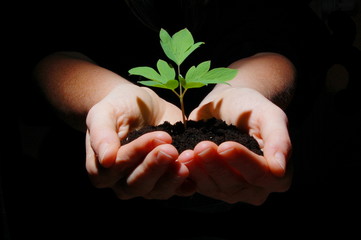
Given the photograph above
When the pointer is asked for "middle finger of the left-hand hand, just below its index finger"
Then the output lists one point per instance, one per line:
(145, 176)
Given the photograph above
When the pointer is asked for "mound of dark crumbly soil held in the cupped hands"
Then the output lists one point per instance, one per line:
(213, 130)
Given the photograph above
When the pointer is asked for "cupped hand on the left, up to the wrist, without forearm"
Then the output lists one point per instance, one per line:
(145, 167)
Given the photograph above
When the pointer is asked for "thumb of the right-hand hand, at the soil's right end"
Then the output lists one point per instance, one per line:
(277, 144)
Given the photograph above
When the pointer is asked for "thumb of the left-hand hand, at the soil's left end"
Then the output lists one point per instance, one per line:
(104, 138)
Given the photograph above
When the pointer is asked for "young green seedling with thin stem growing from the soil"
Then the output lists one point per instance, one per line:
(177, 48)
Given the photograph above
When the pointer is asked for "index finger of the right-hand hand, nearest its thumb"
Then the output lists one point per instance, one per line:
(252, 167)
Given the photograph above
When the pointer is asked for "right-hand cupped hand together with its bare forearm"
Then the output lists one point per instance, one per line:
(230, 171)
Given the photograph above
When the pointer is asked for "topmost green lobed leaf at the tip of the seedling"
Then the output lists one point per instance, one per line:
(179, 46)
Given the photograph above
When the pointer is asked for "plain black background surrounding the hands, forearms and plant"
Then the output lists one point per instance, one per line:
(45, 190)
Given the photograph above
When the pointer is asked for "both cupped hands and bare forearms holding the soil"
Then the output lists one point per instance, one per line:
(150, 166)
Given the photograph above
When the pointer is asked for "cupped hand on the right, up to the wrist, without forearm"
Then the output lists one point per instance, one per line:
(230, 172)
